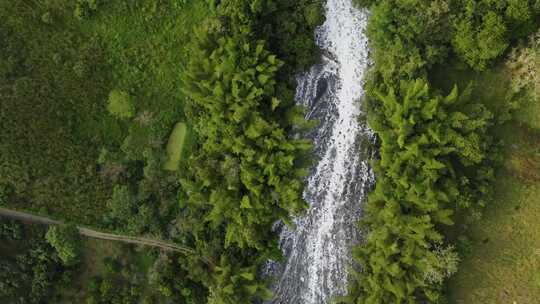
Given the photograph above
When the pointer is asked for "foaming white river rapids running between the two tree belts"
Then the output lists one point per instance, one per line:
(318, 250)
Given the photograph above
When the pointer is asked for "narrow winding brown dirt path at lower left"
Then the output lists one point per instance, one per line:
(27, 217)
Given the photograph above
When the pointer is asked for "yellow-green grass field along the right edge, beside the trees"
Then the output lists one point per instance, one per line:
(503, 262)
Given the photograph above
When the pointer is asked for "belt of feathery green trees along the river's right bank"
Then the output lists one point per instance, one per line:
(436, 154)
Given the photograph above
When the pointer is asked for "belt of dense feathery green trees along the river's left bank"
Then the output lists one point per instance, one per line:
(245, 171)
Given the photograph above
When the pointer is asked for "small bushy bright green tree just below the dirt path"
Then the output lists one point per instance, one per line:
(66, 240)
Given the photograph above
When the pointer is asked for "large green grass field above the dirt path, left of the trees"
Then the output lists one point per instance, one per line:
(55, 82)
